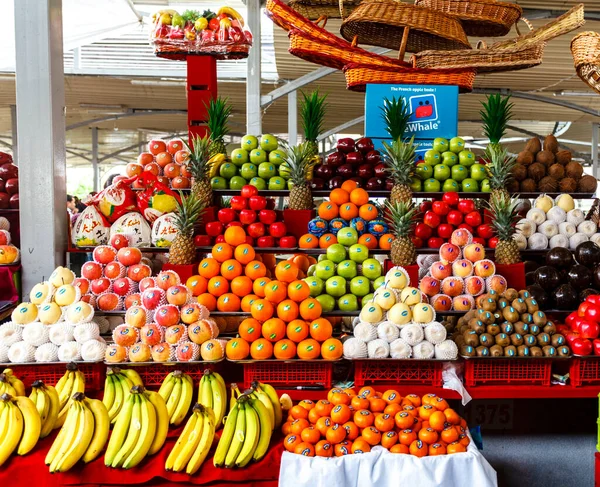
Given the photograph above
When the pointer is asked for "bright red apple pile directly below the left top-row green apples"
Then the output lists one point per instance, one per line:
(256, 215)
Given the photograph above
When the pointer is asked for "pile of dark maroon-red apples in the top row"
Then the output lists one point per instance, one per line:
(357, 161)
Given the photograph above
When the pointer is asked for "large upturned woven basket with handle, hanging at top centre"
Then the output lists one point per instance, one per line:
(394, 25)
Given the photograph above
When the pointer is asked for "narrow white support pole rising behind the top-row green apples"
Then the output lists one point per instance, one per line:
(253, 78)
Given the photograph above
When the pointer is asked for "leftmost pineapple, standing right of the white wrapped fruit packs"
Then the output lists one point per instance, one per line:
(183, 250)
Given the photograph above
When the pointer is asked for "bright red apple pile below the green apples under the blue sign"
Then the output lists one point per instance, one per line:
(439, 218)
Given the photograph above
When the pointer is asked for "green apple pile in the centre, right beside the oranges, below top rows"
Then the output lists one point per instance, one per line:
(344, 277)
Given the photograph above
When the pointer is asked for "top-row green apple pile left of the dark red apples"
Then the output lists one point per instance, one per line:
(259, 163)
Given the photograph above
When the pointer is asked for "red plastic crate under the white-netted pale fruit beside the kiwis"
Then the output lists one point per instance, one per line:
(397, 372)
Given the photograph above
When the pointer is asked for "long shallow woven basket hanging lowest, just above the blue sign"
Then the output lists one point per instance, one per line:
(359, 75)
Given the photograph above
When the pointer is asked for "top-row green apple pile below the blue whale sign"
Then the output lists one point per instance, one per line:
(448, 166)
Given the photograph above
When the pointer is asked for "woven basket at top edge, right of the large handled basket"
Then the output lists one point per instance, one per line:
(480, 18)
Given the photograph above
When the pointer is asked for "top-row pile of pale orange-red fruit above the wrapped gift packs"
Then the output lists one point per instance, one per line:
(166, 160)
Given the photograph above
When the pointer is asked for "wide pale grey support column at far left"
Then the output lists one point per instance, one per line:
(41, 143)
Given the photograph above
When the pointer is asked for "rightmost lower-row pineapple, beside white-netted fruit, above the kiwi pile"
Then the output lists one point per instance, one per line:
(504, 212)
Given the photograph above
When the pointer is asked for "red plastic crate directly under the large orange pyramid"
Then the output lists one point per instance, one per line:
(284, 374)
